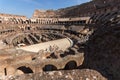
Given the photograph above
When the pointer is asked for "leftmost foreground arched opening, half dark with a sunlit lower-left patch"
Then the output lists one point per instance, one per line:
(24, 70)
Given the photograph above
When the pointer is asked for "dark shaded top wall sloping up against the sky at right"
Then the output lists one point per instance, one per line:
(90, 8)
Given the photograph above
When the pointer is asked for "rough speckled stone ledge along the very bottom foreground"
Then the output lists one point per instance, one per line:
(84, 74)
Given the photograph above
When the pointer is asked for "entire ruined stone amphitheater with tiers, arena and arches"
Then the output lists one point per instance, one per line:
(74, 43)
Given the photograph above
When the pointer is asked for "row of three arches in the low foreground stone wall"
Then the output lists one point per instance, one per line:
(26, 69)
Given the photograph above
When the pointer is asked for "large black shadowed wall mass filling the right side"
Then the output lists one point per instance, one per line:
(102, 52)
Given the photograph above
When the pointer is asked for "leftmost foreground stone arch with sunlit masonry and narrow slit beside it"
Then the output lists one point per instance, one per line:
(18, 69)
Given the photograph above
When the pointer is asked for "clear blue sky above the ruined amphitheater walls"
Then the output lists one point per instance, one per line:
(27, 7)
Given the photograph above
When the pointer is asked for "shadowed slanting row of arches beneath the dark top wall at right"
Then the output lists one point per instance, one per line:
(105, 18)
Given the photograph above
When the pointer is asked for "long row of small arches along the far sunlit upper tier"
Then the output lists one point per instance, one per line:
(41, 21)
